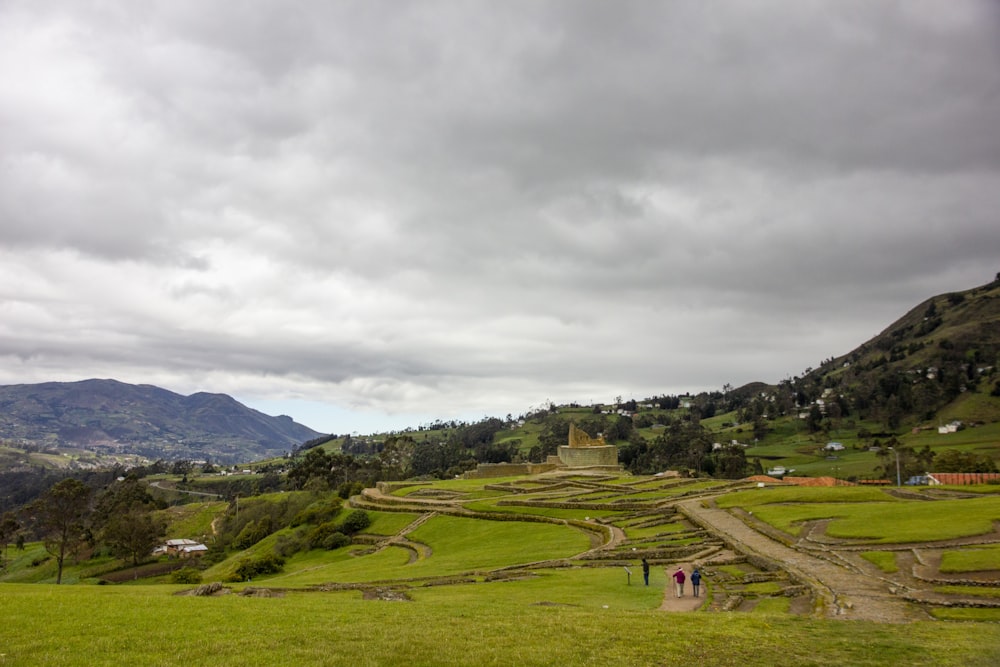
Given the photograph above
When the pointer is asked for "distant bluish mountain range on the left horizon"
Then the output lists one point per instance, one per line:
(114, 418)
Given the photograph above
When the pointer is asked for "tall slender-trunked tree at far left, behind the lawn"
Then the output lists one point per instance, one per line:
(61, 515)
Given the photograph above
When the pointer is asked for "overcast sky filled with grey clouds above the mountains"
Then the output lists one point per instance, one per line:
(369, 215)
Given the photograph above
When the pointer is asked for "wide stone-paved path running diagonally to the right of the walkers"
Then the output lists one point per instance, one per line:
(846, 594)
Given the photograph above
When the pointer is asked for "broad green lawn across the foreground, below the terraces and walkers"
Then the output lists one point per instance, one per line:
(541, 621)
